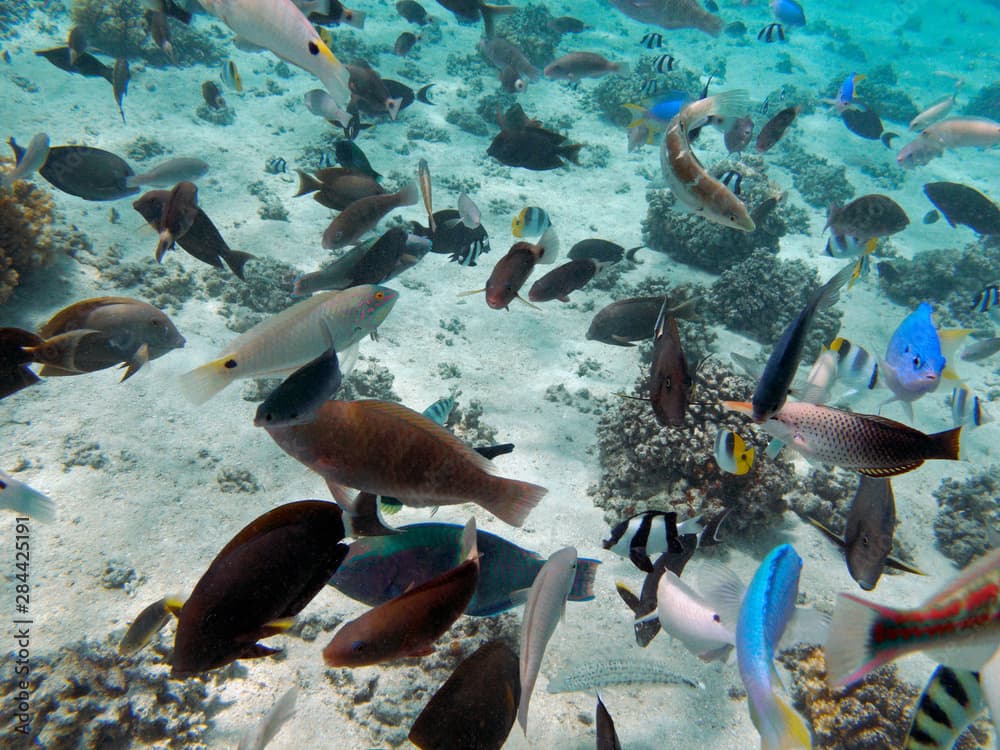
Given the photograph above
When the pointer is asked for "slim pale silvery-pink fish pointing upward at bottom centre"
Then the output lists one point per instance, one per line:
(545, 606)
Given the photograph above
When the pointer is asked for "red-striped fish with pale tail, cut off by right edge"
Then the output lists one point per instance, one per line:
(958, 627)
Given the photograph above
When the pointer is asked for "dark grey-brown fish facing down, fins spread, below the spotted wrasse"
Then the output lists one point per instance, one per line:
(867, 539)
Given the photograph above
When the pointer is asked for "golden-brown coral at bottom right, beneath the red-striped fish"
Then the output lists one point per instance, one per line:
(871, 714)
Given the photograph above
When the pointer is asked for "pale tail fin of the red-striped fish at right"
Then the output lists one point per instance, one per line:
(850, 651)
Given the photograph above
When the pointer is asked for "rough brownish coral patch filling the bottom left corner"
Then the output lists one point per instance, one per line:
(86, 696)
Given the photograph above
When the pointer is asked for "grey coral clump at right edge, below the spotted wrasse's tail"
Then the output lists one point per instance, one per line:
(968, 518)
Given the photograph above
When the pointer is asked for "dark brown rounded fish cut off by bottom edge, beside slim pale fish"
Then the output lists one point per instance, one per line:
(476, 707)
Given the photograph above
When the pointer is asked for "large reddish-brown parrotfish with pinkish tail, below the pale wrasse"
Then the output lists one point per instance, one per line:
(386, 449)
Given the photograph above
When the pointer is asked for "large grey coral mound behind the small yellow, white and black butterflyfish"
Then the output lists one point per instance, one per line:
(645, 466)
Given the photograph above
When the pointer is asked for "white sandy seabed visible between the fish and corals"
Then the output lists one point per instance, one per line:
(156, 504)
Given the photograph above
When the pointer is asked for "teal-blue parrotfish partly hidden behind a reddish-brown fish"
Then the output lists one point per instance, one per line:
(380, 568)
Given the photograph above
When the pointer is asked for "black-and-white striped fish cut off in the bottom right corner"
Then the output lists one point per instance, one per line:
(951, 701)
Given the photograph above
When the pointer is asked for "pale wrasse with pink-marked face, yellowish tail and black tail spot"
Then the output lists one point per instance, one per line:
(295, 336)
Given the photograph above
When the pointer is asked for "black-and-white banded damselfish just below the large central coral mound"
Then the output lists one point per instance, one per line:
(653, 532)
